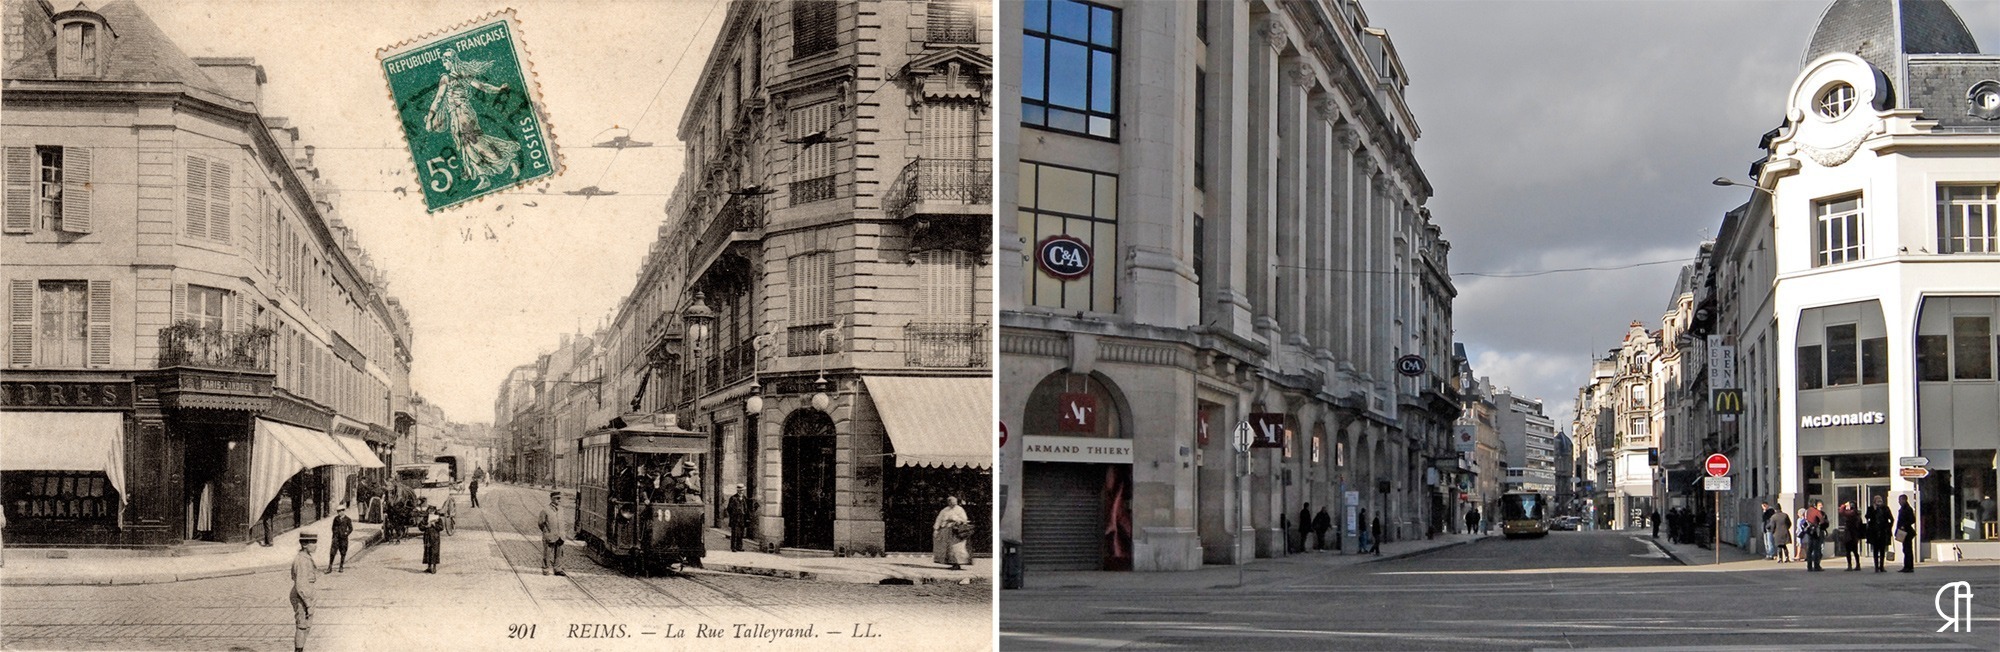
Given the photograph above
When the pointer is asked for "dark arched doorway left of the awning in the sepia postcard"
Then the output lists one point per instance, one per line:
(809, 481)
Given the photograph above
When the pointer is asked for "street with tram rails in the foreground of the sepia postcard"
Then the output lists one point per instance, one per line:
(491, 595)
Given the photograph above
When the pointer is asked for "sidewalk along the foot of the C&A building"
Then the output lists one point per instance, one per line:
(1217, 577)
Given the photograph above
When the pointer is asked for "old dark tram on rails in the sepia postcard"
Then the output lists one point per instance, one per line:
(639, 497)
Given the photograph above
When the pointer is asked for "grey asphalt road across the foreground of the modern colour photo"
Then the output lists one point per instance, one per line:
(1567, 591)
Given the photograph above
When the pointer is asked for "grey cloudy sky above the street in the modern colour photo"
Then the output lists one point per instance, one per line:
(1567, 135)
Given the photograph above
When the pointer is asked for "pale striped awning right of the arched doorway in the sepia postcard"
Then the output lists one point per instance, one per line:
(937, 421)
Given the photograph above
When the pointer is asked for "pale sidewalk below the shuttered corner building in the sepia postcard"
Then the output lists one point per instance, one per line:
(31, 567)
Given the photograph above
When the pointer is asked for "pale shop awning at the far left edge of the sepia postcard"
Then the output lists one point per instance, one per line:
(65, 441)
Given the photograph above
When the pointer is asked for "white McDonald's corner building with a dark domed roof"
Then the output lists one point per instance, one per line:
(1883, 213)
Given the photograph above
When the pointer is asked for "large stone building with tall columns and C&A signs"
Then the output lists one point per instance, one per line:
(1213, 219)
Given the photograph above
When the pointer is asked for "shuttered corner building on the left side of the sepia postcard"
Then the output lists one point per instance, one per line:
(195, 345)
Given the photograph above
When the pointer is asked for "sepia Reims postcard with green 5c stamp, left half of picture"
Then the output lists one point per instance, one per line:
(539, 325)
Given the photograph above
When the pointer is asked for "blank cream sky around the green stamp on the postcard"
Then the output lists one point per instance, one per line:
(485, 305)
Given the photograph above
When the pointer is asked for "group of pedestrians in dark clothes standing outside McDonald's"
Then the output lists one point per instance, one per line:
(1801, 539)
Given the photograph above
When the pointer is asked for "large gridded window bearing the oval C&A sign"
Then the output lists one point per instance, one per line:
(1079, 205)
